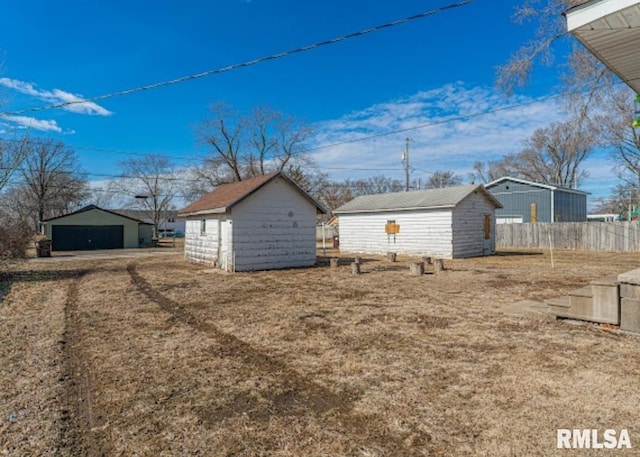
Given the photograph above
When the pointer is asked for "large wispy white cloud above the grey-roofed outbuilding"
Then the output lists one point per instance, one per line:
(446, 127)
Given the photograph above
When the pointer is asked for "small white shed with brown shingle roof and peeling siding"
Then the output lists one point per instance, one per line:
(263, 223)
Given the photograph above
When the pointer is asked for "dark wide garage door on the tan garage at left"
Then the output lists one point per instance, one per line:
(87, 237)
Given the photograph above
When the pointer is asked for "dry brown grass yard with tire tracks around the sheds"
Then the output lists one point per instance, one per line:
(158, 357)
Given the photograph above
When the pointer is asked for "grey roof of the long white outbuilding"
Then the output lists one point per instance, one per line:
(447, 197)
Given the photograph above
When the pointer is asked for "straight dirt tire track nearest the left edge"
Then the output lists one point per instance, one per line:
(81, 431)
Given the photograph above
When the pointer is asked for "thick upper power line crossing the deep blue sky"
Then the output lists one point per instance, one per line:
(279, 55)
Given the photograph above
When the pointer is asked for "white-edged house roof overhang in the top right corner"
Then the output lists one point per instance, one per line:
(610, 29)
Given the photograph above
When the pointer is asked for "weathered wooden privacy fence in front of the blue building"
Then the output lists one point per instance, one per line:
(581, 236)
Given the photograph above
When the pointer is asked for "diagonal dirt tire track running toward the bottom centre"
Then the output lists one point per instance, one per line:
(301, 395)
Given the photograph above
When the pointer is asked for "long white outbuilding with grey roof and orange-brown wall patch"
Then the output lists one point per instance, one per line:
(446, 223)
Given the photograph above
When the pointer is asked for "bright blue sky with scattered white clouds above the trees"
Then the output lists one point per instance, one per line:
(422, 73)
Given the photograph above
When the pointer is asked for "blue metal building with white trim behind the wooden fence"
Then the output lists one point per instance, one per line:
(527, 201)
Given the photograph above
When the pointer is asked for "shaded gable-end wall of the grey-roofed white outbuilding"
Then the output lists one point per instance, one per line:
(468, 227)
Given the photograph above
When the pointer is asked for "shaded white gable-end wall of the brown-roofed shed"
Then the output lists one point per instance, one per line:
(274, 228)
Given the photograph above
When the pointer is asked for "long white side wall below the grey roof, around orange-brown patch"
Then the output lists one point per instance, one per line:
(421, 233)
